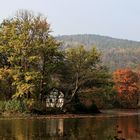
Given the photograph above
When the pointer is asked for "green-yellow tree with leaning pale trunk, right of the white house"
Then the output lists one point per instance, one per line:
(82, 70)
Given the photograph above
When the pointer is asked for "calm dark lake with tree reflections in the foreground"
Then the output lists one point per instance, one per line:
(105, 126)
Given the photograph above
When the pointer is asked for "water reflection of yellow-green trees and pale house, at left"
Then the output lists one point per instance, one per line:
(31, 129)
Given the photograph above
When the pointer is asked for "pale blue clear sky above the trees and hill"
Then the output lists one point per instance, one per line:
(115, 18)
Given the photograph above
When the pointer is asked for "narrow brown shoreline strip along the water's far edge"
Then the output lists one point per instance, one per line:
(103, 113)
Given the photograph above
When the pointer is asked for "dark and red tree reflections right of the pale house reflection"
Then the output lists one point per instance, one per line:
(101, 128)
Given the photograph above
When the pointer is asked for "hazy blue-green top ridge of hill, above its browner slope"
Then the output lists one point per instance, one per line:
(98, 40)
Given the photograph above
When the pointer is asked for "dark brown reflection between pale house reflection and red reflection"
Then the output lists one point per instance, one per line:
(89, 128)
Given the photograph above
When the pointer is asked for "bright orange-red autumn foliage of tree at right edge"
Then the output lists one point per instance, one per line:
(126, 82)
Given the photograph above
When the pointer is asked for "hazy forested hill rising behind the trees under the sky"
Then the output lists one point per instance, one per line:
(117, 53)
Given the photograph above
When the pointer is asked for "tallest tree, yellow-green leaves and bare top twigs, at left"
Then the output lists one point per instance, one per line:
(30, 53)
